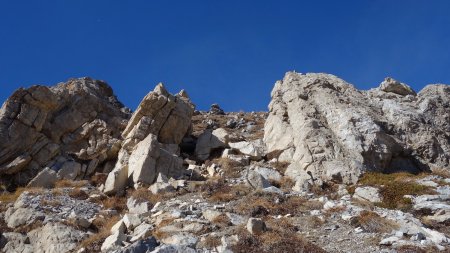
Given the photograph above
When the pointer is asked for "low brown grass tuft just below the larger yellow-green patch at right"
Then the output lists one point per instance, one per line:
(372, 222)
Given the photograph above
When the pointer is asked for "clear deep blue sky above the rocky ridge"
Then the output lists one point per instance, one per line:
(227, 52)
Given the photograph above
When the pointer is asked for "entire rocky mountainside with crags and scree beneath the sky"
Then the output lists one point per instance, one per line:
(328, 169)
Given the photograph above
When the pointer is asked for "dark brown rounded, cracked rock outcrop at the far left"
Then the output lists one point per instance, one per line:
(50, 126)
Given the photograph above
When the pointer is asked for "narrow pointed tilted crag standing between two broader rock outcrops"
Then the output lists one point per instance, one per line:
(151, 140)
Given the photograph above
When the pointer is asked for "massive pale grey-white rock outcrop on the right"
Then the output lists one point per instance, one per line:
(332, 131)
